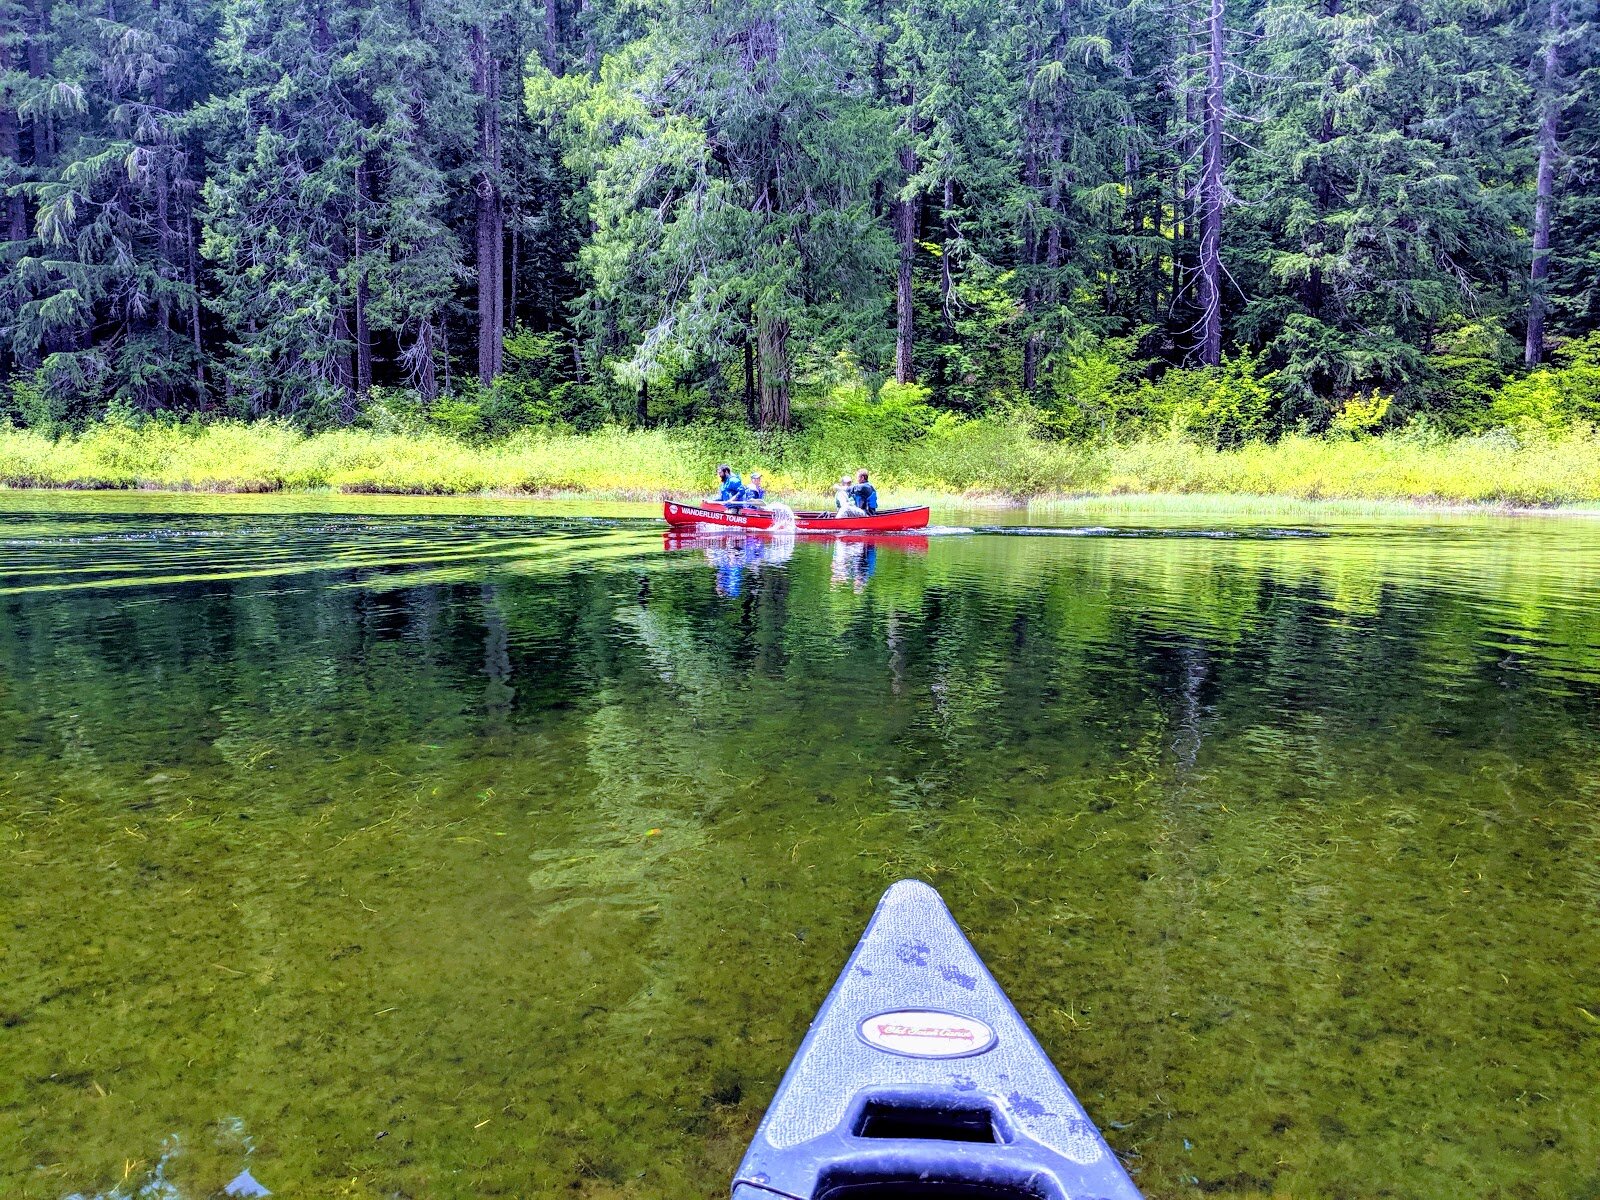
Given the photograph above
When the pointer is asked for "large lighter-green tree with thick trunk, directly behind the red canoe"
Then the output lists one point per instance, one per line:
(734, 156)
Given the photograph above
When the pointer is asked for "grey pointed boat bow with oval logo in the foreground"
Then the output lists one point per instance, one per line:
(919, 1081)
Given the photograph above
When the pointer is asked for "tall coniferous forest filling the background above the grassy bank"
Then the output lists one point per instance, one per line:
(1286, 215)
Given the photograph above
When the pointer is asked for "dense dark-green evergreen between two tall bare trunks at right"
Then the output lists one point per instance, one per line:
(1380, 191)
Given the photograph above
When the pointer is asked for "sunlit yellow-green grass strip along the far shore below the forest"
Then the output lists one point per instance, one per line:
(978, 458)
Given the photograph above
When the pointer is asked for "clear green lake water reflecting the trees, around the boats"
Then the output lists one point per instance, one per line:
(487, 850)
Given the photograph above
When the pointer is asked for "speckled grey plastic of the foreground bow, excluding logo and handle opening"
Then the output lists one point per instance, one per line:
(916, 958)
